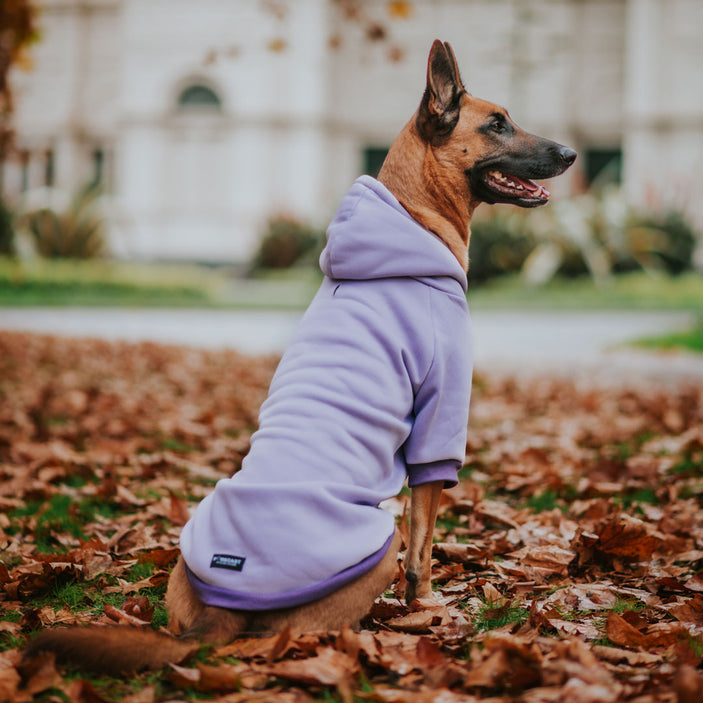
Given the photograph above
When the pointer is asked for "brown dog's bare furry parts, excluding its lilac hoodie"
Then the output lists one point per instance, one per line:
(456, 152)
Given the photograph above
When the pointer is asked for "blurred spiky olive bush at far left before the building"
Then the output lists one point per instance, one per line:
(76, 233)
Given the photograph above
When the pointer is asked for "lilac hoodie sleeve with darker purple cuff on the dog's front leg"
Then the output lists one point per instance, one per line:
(436, 447)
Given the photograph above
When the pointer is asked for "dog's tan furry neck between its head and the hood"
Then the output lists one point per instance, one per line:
(429, 192)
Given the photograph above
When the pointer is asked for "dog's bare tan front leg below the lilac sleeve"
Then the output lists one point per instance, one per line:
(423, 513)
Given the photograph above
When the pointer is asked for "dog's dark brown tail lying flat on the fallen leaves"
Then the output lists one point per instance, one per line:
(112, 650)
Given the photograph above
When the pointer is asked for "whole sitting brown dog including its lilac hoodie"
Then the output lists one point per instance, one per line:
(374, 388)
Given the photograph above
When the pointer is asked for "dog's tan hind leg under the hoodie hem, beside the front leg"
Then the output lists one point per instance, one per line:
(348, 605)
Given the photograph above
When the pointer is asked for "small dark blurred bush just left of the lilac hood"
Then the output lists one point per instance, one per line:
(286, 242)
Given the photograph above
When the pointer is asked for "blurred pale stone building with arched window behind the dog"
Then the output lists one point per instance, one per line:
(203, 119)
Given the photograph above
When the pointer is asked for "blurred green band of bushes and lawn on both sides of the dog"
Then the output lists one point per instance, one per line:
(593, 248)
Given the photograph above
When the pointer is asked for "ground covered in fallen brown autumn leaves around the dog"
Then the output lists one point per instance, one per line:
(568, 562)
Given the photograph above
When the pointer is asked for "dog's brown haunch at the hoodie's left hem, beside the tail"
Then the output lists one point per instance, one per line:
(189, 617)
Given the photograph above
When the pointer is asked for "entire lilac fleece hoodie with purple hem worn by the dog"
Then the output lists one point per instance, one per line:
(373, 388)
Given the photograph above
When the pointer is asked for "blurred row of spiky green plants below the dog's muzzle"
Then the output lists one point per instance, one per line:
(595, 234)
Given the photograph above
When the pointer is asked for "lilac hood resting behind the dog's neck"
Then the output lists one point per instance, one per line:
(372, 236)
